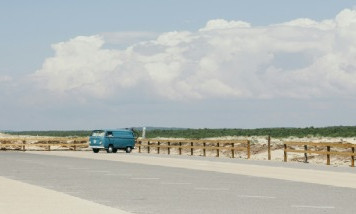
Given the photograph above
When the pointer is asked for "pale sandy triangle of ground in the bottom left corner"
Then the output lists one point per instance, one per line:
(34, 199)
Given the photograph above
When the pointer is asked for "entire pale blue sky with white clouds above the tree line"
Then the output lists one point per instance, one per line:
(89, 64)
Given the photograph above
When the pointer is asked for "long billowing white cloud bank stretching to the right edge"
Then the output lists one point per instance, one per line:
(302, 58)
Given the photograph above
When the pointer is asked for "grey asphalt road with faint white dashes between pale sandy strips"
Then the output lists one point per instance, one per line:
(141, 188)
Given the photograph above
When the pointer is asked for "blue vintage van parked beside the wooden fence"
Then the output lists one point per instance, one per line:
(112, 140)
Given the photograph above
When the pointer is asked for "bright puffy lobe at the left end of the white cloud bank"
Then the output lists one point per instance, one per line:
(79, 65)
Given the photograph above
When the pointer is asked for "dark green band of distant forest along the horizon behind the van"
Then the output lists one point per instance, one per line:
(335, 131)
